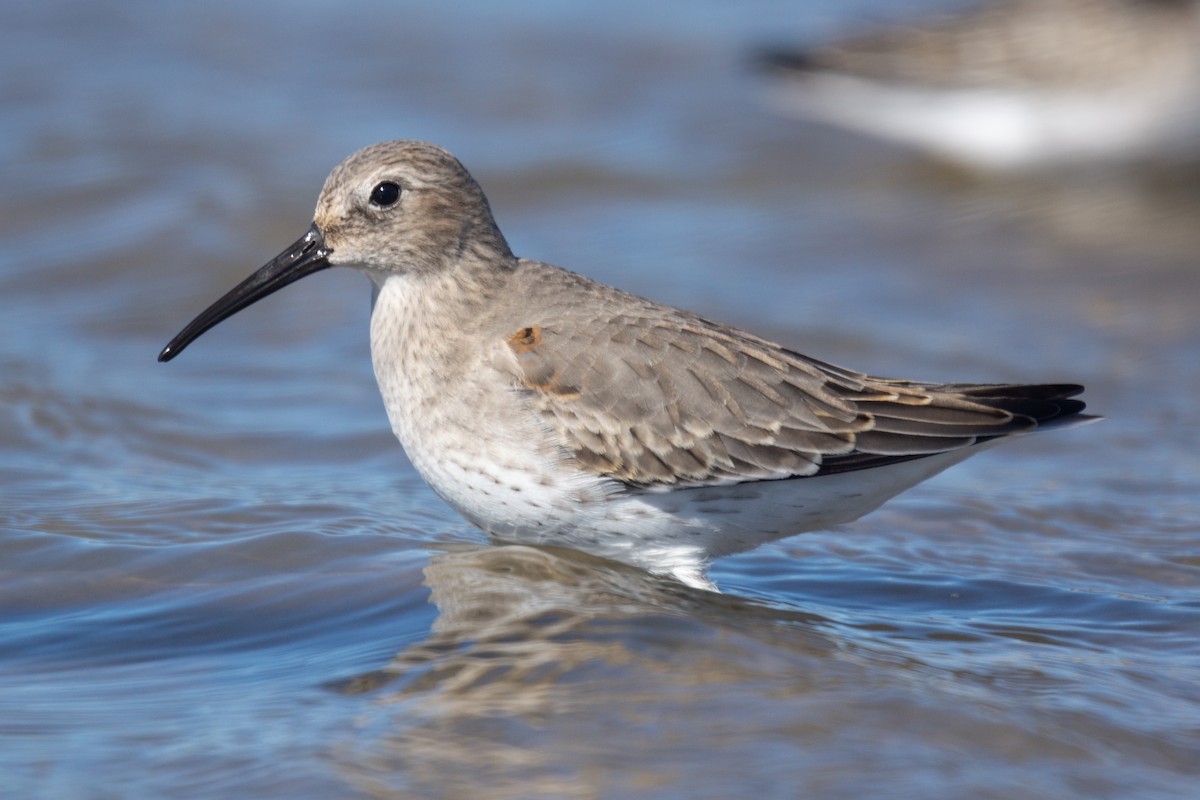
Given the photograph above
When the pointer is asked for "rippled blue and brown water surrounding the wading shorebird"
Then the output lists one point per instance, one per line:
(223, 579)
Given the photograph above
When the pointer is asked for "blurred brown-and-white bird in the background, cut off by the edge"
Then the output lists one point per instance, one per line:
(1013, 85)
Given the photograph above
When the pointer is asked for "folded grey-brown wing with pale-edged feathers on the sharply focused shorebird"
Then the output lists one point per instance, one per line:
(661, 399)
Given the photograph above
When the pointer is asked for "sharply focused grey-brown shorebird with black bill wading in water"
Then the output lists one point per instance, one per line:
(553, 410)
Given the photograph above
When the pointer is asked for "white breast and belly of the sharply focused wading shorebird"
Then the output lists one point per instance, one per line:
(478, 442)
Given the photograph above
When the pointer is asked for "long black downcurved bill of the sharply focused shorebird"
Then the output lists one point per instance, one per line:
(307, 256)
